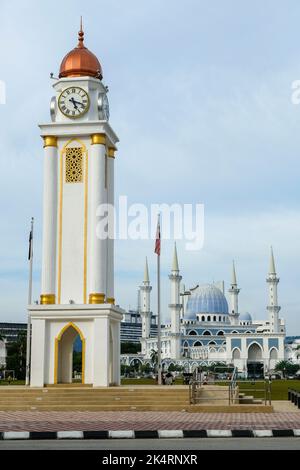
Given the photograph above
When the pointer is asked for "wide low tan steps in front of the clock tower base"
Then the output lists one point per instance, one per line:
(84, 398)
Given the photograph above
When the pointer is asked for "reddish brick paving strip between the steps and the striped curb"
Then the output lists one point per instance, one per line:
(148, 420)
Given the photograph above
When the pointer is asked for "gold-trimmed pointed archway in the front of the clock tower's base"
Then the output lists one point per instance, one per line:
(64, 344)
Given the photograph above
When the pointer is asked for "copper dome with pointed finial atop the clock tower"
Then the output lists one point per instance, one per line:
(80, 62)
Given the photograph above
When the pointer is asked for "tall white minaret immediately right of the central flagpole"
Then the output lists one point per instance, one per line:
(175, 305)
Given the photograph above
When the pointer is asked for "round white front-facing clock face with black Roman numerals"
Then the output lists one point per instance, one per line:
(74, 102)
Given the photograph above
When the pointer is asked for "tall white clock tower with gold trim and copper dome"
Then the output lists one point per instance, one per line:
(77, 286)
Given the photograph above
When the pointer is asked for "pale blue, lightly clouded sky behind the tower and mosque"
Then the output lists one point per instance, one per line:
(200, 98)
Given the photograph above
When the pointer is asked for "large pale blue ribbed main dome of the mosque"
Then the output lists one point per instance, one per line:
(206, 299)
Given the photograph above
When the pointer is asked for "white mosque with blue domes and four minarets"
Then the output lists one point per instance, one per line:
(206, 328)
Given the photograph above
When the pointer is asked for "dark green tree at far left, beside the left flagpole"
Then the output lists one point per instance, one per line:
(16, 356)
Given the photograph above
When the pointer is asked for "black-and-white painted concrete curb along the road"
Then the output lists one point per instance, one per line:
(150, 434)
